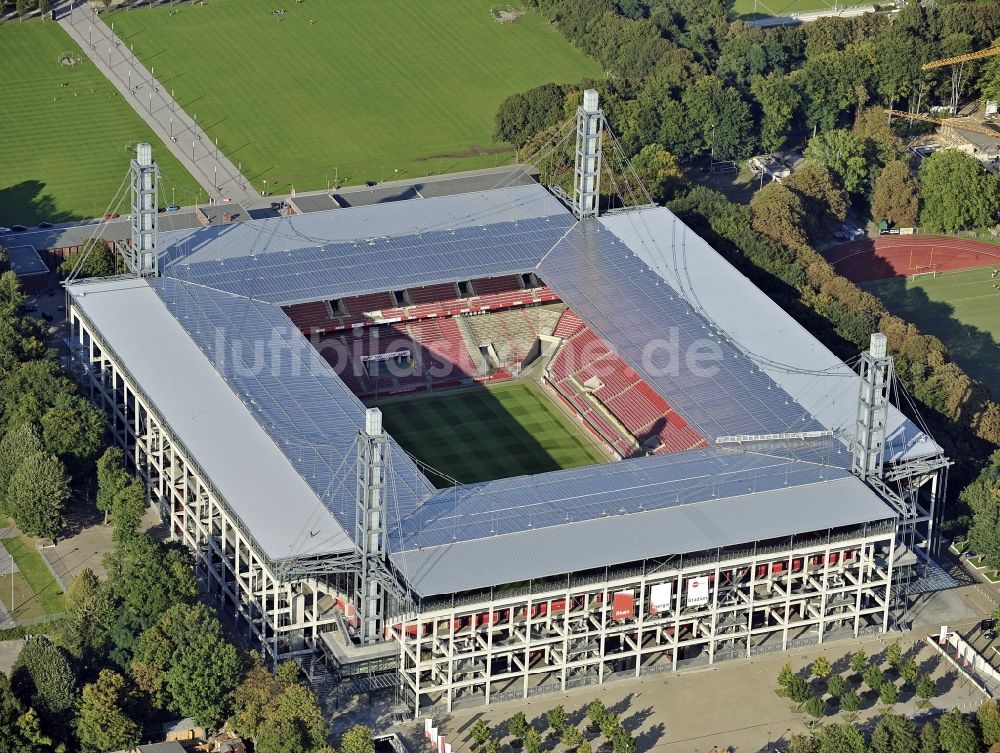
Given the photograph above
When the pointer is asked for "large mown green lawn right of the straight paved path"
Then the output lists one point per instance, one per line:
(358, 89)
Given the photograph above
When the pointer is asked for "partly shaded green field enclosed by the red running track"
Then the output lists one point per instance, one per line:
(962, 308)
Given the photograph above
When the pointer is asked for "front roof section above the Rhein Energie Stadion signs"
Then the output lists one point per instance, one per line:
(644, 509)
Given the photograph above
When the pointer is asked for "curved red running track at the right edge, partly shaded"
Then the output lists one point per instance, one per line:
(902, 255)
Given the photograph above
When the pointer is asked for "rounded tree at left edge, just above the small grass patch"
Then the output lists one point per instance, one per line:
(38, 492)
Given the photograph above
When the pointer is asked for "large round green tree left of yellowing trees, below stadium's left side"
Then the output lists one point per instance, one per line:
(186, 663)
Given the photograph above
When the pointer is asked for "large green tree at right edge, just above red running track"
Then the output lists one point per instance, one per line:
(958, 193)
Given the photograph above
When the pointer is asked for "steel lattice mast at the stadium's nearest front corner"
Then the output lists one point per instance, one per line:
(370, 534)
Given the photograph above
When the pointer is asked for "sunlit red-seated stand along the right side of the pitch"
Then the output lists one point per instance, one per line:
(621, 409)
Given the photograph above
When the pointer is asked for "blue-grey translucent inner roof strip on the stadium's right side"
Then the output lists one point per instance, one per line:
(694, 365)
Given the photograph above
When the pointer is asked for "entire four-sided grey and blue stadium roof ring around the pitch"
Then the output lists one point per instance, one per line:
(650, 288)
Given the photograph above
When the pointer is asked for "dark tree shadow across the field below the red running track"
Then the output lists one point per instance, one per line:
(971, 348)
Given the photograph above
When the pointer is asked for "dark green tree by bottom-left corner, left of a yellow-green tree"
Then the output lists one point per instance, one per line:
(43, 679)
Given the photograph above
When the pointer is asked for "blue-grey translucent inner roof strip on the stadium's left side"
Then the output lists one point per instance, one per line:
(296, 398)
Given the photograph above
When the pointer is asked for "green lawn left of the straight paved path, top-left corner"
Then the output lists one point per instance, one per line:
(65, 132)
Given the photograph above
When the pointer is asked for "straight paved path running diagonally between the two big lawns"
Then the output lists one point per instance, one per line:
(218, 176)
